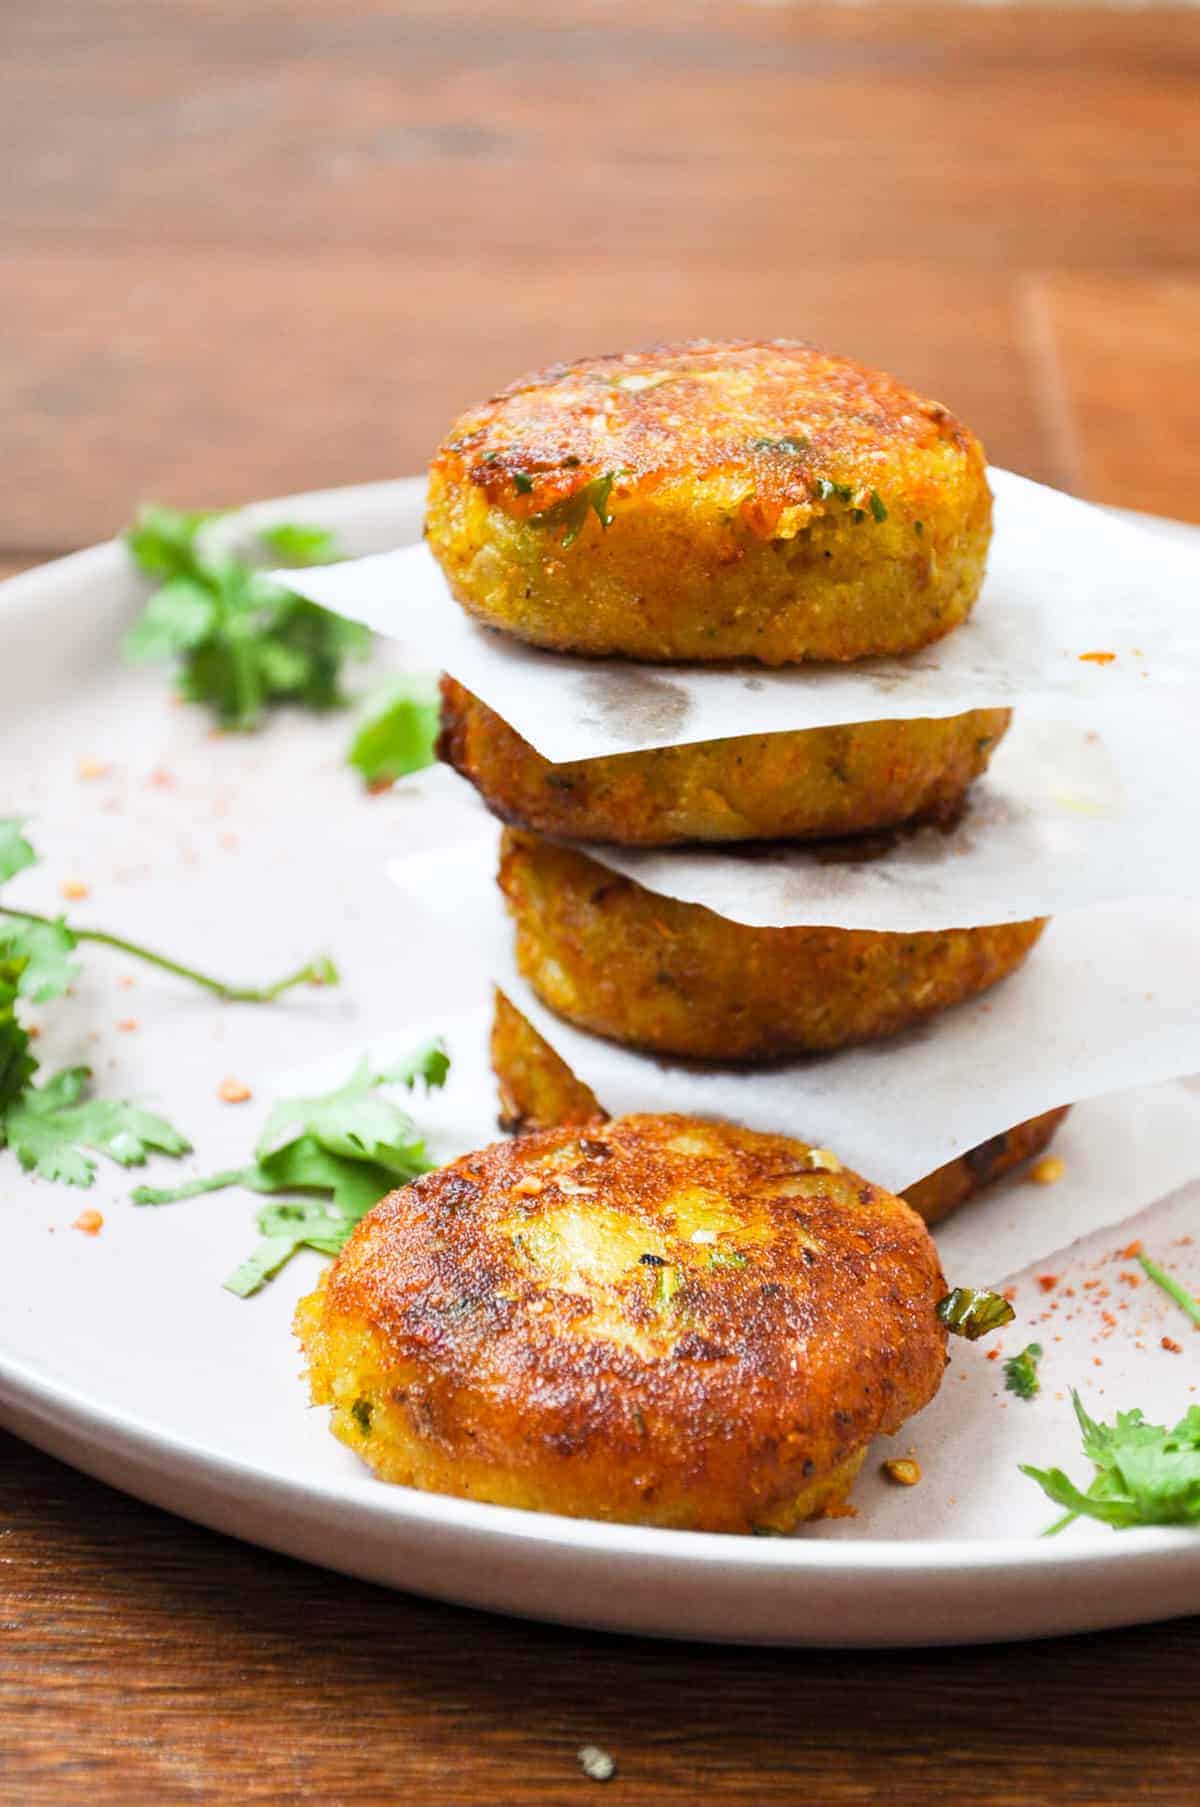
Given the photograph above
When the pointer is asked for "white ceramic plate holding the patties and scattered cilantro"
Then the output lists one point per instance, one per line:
(124, 1356)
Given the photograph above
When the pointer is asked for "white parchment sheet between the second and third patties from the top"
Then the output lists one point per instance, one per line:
(1064, 819)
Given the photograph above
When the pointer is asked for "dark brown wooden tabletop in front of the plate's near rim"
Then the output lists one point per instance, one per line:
(145, 1662)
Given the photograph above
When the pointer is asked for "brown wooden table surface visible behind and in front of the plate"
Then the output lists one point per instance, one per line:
(254, 247)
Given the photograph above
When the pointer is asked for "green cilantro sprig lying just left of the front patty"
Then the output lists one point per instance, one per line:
(344, 1148)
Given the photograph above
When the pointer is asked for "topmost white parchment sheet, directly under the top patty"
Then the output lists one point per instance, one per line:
(1065, 579)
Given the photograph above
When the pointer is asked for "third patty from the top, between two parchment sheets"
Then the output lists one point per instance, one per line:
(675, 978)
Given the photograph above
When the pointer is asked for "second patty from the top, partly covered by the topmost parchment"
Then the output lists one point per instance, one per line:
(760, 787)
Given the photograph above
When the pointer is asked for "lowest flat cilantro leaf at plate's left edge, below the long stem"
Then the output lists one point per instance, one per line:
(50, 1128)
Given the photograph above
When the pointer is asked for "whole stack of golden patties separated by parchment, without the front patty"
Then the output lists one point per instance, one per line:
(755, 503)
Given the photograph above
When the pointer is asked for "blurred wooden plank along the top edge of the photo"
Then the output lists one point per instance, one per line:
(1011, 138)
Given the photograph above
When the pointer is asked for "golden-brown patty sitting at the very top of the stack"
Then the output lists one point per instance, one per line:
(713, 501)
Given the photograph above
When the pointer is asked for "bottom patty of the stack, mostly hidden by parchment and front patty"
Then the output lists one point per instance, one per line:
(538, 1091)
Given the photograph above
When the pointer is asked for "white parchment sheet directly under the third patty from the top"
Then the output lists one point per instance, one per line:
(1111, 998)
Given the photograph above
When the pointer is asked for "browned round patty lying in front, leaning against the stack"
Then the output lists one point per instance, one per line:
(657, 1320)
